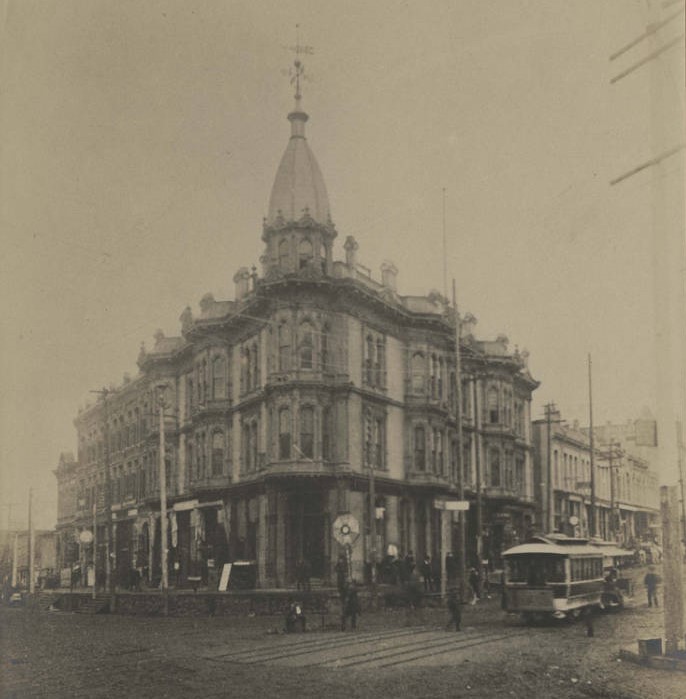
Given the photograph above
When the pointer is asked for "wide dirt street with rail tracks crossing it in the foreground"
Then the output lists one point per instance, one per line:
(391, 654)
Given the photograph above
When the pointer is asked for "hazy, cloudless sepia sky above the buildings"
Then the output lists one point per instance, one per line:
(140, 142)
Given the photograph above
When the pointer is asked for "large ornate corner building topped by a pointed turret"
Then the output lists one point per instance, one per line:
(280, 405)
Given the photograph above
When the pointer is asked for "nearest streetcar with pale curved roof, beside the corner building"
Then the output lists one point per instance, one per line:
(553, 575)
